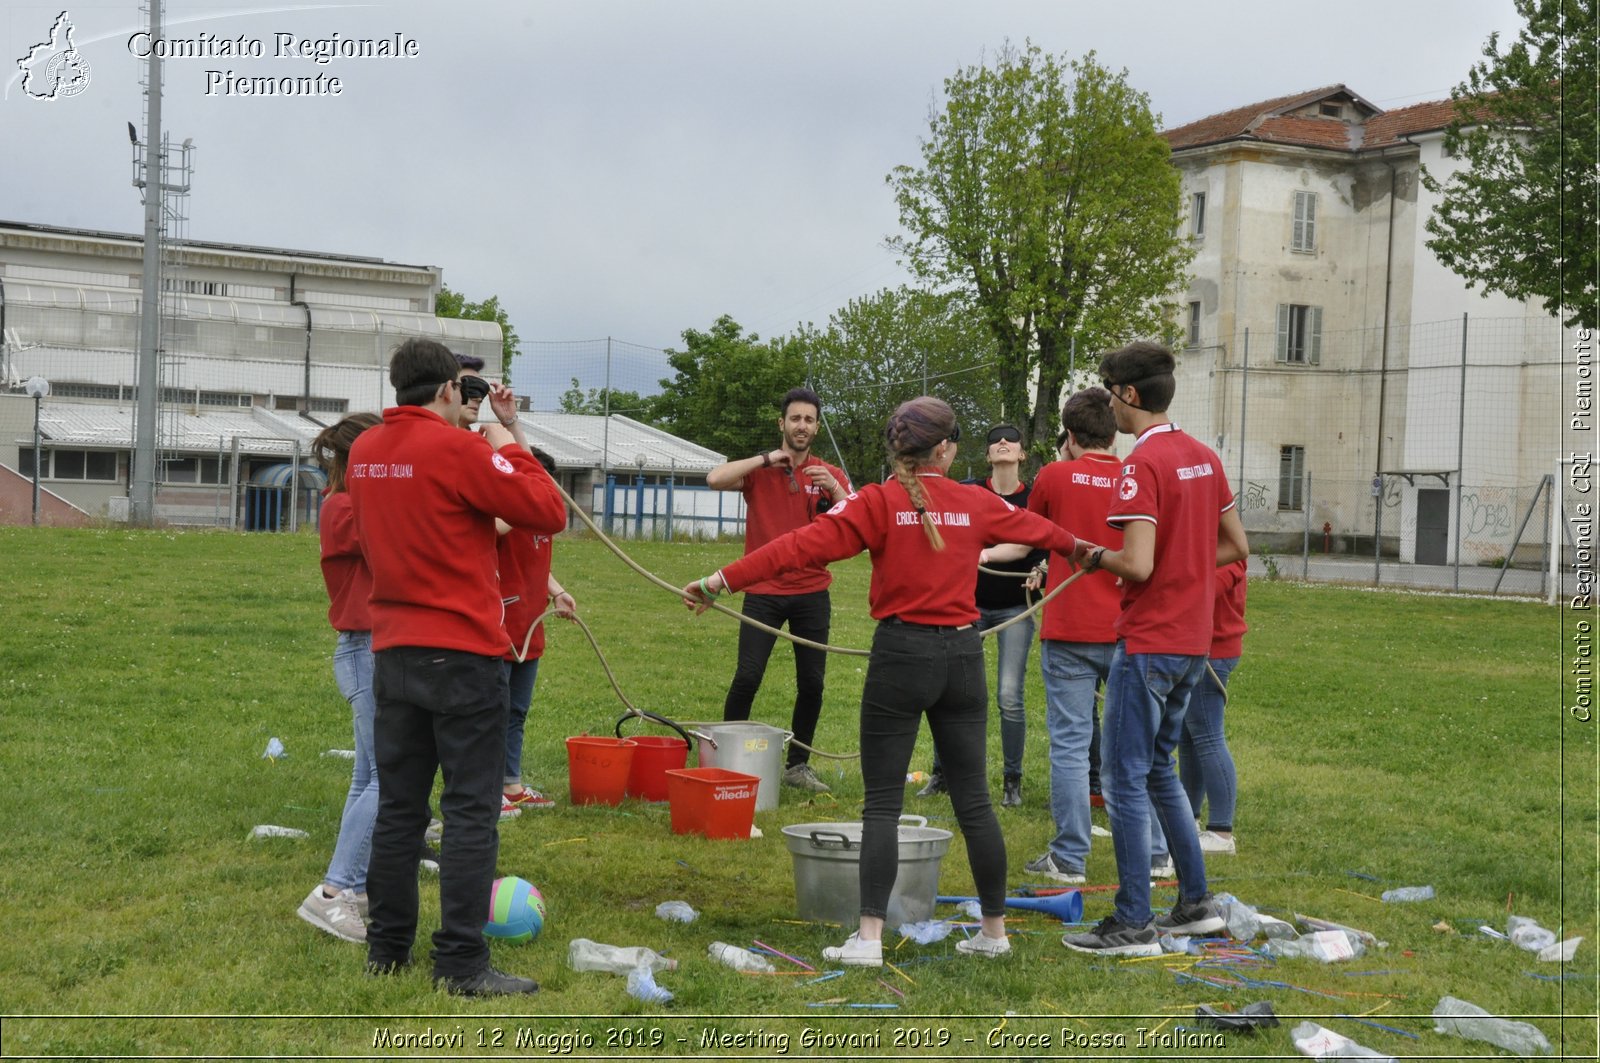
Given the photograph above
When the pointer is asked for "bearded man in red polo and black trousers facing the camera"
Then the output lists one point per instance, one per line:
(783, 491)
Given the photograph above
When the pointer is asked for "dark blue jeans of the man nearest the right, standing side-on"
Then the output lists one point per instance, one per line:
(1146, 699)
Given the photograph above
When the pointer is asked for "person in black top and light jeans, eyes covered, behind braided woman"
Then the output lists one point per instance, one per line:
(999, 600)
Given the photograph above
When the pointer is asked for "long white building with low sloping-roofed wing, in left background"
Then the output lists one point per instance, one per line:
(262, 348)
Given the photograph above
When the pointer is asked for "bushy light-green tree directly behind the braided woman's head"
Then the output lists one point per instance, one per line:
(890, 347)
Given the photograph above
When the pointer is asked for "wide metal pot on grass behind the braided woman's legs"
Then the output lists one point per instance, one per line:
(828, 872)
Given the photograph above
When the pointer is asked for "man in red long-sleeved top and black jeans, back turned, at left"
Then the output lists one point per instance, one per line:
(425, 497)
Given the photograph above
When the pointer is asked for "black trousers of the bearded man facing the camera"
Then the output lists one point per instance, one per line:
(809, 617)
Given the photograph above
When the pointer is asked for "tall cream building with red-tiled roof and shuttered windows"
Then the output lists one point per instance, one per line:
(1324, 337)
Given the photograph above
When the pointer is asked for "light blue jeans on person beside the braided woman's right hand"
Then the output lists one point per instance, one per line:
(1071, 672)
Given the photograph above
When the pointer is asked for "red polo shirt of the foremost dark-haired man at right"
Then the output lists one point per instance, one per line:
(1175, 483)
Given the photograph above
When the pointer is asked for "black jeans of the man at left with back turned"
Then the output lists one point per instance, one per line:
(436, 710)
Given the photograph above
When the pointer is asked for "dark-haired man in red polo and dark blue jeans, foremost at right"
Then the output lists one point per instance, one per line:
(1178, 521)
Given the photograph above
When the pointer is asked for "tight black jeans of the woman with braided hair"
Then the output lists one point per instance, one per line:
(940, 673)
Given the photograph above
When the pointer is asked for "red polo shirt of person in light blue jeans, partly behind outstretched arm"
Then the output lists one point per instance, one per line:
(1078, 495)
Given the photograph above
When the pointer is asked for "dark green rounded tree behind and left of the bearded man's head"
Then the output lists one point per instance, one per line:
(727, 390)
